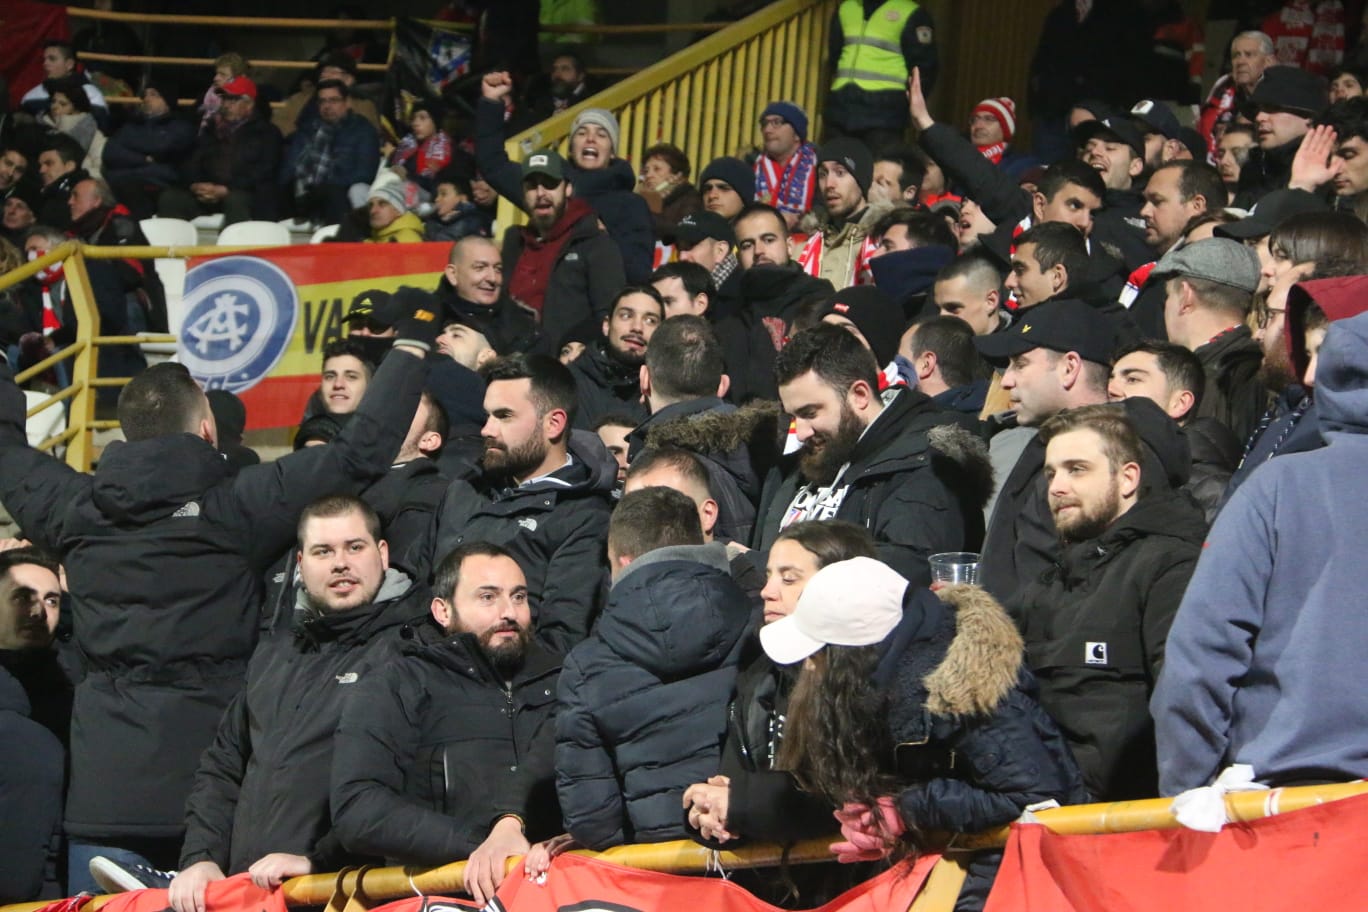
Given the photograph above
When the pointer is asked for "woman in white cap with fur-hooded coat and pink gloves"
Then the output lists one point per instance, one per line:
(915, 714)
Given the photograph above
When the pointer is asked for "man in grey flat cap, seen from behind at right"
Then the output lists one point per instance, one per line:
(1210, 286)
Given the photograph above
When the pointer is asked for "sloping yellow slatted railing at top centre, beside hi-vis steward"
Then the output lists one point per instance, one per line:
(708, 98)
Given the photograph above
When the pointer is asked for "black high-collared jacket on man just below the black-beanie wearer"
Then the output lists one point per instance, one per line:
(771, 299)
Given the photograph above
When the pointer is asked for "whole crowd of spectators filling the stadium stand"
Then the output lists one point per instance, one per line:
(623, 533)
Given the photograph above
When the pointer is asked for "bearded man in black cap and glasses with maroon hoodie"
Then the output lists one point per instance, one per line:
(562, 265)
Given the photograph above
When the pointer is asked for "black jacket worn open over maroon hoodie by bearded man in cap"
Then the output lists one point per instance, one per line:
(585, 281)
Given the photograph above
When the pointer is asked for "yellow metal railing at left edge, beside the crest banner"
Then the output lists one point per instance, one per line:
(81, 355)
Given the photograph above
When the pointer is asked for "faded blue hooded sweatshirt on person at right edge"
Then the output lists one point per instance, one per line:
(1270, 636)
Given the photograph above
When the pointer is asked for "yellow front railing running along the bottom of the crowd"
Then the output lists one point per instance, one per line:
(358, 889)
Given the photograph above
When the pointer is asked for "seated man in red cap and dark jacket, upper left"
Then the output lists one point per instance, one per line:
(233, 169)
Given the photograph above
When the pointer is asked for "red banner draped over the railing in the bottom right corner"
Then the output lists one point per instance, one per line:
(1304, 859)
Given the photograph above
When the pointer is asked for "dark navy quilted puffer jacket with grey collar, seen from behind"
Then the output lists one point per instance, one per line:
(645, 699)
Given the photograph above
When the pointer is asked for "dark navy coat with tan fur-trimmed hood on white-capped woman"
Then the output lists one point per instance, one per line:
(973, 746)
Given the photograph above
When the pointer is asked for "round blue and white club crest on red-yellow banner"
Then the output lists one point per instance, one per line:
(240, 315)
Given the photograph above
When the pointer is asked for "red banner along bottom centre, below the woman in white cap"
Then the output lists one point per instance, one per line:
(588, 884)
